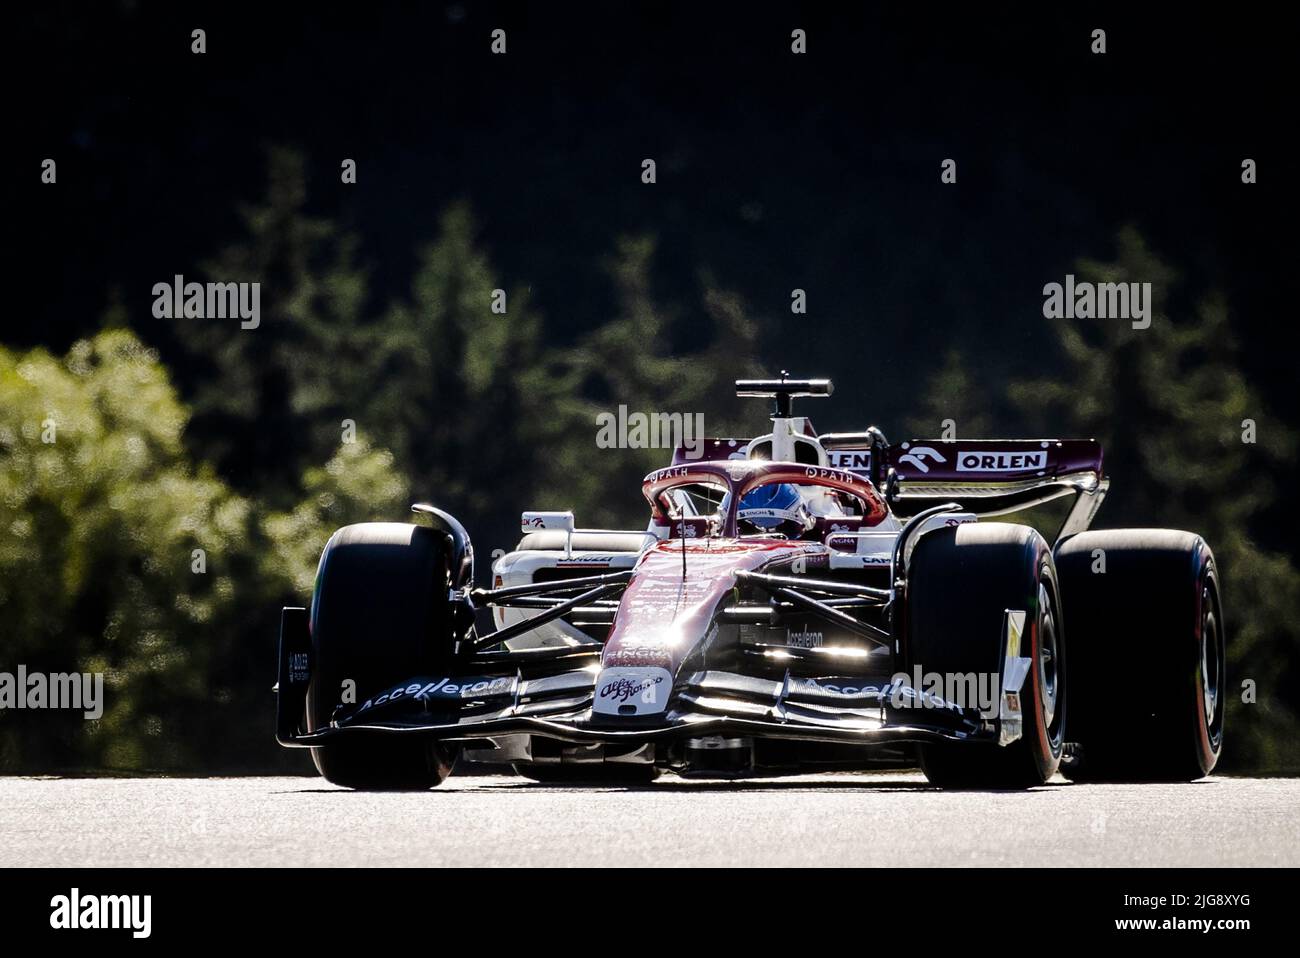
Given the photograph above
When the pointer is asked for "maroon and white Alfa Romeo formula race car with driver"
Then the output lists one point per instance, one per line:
(799, 601)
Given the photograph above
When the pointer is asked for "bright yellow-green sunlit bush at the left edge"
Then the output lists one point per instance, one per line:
(102, 513)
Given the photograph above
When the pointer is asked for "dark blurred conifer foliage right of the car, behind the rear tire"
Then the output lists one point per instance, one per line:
(1189, 467)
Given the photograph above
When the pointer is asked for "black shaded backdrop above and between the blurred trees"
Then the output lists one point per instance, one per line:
(774, 172)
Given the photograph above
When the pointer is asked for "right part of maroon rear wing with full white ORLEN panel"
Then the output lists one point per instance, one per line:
(998, 476)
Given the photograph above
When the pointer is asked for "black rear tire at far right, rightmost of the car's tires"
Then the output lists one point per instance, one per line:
(1147, 656)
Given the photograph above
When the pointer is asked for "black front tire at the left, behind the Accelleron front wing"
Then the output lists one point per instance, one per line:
(380, 615)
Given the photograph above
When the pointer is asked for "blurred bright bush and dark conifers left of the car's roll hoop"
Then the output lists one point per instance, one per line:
(445, 401)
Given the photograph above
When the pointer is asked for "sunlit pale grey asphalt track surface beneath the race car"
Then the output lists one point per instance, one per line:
(863, 820)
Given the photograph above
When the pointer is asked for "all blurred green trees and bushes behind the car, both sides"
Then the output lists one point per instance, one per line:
(484, 415)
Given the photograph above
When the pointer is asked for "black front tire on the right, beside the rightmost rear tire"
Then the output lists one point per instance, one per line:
(960, 583)
